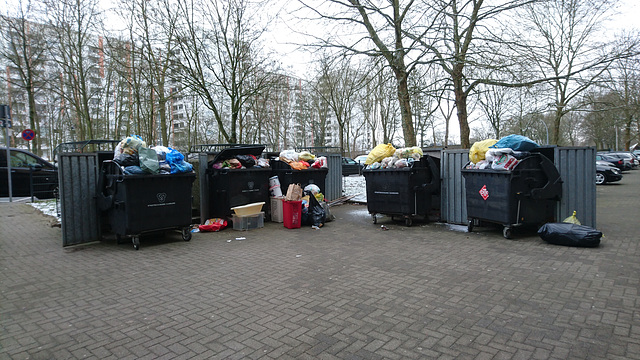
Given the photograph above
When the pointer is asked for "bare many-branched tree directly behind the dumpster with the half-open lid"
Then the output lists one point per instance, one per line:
(220, 54)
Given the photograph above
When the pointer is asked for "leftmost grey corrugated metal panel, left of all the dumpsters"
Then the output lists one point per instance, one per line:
(78, 174)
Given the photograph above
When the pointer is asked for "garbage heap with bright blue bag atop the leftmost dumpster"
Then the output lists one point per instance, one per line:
(135, 158)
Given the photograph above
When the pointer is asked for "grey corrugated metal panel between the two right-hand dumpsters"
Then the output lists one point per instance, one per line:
(453, 203)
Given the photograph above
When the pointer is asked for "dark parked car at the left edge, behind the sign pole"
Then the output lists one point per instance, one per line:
(25, 169)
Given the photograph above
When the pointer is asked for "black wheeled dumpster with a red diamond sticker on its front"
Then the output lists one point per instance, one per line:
(527, 194)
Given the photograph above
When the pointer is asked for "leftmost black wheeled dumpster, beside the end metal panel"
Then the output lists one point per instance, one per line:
(138, 204)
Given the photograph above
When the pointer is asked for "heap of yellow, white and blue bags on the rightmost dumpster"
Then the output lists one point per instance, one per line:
(503, 154)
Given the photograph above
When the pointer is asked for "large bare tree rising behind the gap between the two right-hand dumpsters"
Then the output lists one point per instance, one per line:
(468, 40)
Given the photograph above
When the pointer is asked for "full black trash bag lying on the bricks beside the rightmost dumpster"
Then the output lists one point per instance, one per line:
(568, 234)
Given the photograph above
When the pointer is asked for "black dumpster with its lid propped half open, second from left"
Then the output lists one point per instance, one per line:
(234, 187)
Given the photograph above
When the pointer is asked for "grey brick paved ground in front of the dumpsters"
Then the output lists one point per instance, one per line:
(347, 291)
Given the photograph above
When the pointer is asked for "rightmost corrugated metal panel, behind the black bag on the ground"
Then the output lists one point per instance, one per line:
(577, 168)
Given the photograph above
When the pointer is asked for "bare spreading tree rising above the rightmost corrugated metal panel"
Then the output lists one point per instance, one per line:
(562, 47)
